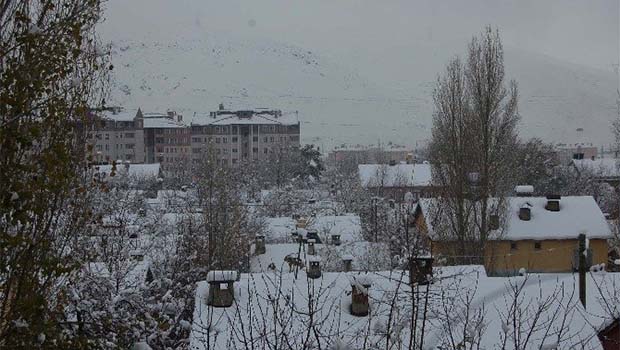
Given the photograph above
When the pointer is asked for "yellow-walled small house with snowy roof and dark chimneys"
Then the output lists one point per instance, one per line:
(539, 234)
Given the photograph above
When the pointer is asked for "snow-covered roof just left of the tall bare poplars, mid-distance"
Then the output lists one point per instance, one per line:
(398, 175)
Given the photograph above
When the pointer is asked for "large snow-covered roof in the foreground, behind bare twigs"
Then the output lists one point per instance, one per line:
(457, 297)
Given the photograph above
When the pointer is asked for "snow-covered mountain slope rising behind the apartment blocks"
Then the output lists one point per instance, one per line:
(353, 94)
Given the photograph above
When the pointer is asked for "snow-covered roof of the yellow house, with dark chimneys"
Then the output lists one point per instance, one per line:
(578, 214)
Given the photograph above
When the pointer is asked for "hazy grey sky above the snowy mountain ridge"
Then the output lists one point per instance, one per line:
(577, 31)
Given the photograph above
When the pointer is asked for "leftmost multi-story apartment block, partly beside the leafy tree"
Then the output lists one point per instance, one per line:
(116, 134)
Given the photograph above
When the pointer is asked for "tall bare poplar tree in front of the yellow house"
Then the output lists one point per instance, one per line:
(474, 134)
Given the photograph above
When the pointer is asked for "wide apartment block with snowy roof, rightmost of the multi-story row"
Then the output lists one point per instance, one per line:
(243, 135)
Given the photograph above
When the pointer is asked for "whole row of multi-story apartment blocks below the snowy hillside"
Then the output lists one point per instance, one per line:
(235, 136)
